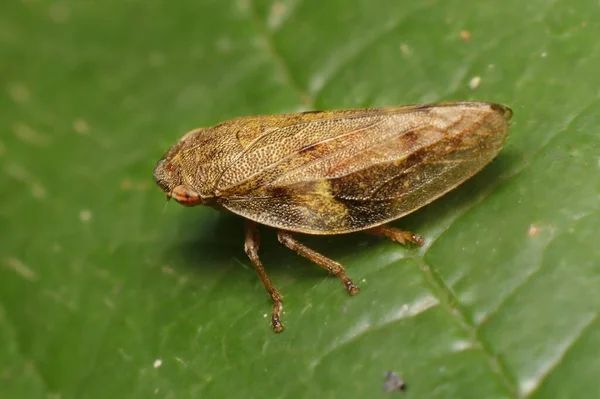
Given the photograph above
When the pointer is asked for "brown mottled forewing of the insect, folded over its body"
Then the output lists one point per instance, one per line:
(348, 174)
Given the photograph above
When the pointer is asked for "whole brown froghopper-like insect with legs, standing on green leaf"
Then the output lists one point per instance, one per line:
(332, 172)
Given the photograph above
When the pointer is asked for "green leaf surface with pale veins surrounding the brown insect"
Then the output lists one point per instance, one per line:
(105, 292)
